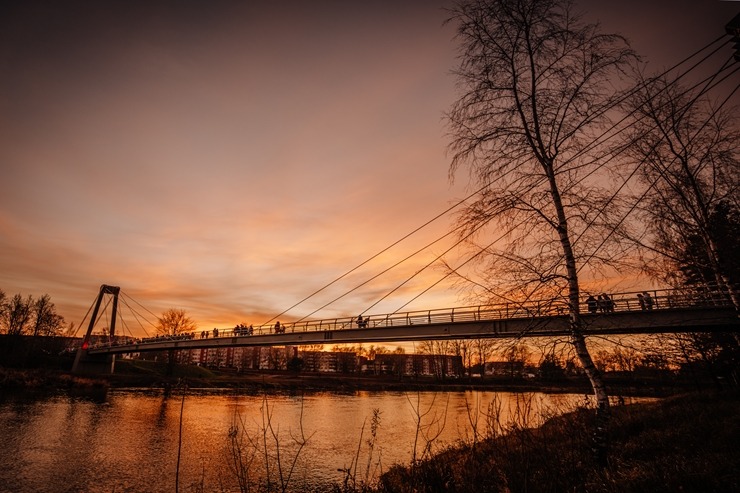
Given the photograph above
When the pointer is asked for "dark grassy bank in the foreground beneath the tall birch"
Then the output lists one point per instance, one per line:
(685, 443)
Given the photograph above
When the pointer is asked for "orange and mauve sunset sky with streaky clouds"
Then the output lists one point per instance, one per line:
(230, 158)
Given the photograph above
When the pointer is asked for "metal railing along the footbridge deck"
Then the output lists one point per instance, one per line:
(619, 302)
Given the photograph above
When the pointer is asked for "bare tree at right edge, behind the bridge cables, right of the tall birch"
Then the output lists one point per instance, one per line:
(688, 157)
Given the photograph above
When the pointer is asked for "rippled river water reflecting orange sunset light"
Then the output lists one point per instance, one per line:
(128, 440)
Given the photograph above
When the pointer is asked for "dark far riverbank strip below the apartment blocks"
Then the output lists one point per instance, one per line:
(145, 374)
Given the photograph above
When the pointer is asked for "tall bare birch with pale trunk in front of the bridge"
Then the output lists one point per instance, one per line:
(536, 87)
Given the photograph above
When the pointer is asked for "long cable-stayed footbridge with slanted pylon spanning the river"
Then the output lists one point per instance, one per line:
(667, 311)
